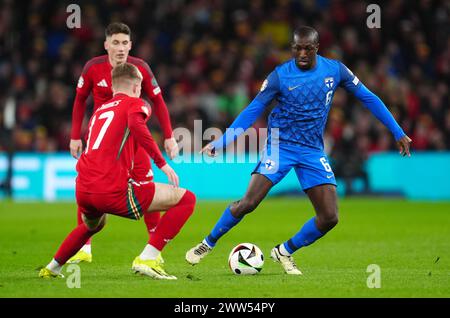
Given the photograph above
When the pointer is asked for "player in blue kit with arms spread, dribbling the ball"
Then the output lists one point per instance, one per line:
(303, 87)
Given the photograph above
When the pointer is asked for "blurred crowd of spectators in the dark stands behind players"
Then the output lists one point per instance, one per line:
(211, 56)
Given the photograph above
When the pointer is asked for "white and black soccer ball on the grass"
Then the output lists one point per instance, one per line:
(246, 259)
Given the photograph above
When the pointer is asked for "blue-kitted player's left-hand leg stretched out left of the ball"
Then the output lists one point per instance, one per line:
(257, 190)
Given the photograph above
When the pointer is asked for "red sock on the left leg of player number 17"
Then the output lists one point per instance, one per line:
(73, 242)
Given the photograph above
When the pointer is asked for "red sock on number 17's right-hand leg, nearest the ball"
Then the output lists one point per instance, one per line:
(172, 221)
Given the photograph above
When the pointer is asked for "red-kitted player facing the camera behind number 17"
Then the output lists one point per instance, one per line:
(96, 78)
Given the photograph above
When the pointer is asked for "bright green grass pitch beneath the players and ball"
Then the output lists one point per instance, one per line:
(409, 241)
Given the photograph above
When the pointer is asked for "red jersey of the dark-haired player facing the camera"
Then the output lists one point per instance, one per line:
(96, 78)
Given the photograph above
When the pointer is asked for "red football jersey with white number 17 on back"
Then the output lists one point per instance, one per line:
(105, 165)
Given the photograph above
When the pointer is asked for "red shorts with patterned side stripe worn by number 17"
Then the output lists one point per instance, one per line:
(131, 204)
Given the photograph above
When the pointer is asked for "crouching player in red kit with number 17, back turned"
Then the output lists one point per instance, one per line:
(104, 185)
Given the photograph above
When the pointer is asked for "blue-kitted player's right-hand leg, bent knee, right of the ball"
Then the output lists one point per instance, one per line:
(324, 200)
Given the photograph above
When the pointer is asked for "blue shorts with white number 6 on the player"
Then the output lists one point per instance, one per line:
(311, 165)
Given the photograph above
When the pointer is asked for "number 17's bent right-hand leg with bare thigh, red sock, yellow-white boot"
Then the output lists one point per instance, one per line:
(179, 204)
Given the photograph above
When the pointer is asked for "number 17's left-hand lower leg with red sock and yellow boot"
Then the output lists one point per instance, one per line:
(73, 242)
